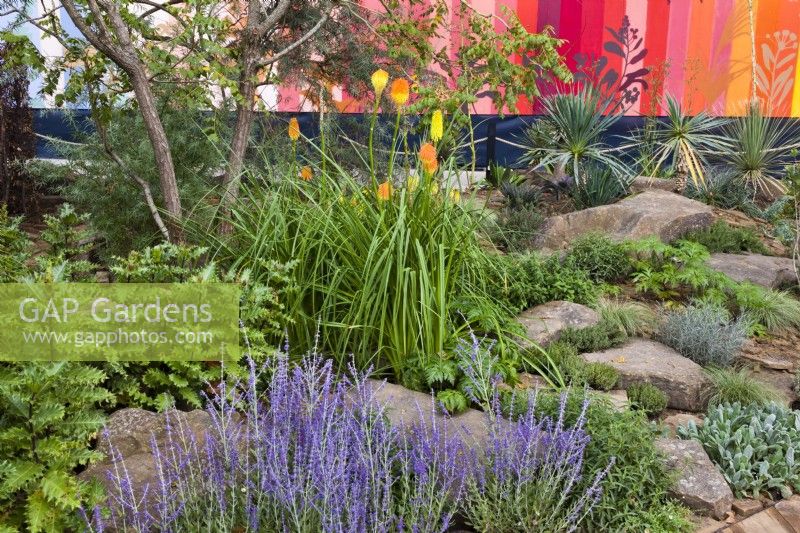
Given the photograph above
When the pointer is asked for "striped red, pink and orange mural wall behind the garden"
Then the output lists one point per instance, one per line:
(701, 49)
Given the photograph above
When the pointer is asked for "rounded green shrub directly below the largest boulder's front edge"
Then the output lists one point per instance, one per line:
(601, 257)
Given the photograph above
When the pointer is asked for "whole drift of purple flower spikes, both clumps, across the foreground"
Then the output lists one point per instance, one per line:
(315, 453)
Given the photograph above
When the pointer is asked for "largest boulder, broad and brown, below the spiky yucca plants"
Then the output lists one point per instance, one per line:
(651, 213)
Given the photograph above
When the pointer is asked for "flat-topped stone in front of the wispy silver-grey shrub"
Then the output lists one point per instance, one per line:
(642, 360)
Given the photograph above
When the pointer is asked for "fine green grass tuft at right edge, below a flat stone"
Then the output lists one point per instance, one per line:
(774, 310)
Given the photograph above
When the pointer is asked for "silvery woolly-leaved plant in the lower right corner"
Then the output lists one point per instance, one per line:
(754, 446)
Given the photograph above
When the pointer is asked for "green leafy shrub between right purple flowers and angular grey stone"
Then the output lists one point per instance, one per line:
(629, 438)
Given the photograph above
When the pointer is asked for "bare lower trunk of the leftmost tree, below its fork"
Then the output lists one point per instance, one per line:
(161, 150)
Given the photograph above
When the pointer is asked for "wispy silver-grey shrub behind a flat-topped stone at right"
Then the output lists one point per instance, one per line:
(705, 334)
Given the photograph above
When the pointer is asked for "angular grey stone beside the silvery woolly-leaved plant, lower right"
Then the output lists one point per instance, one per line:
(699, 484)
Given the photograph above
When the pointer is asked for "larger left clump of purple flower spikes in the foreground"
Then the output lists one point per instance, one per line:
(350, 470)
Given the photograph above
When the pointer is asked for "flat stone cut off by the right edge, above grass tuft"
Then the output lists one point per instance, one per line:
(765, 270)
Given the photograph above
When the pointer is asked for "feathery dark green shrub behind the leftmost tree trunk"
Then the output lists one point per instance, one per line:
(95, 184)
